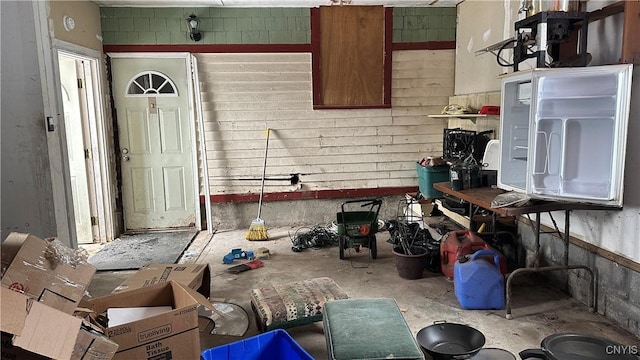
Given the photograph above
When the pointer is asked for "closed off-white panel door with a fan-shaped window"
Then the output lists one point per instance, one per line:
(155, 145)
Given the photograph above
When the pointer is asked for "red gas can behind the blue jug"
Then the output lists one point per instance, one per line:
(456, 244)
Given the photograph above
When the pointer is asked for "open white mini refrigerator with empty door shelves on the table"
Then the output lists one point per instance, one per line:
(564, 133)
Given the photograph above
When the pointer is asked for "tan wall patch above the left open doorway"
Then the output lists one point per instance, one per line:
(87, 31)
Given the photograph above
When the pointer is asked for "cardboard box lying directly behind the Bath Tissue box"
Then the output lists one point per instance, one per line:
(195, 276)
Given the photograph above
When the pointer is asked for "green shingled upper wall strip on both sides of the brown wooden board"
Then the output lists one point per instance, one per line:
(160, 26)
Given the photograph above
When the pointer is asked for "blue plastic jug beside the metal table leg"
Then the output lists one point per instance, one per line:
(479, 284)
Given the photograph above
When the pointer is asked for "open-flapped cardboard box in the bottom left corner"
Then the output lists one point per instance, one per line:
(32, 330)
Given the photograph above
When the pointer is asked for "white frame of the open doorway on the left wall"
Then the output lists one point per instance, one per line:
(48, 49)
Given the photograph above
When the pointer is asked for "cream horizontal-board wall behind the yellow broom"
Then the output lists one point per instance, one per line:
(244, 94)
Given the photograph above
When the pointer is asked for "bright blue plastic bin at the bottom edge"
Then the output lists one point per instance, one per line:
(275, 344)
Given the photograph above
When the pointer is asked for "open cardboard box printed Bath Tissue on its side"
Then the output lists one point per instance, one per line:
(171, 335)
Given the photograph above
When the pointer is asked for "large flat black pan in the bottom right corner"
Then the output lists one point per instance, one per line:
(572, 346)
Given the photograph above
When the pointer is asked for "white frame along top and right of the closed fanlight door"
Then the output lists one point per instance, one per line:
(191, 110)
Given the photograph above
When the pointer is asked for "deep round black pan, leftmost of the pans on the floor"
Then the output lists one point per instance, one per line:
(448, 341)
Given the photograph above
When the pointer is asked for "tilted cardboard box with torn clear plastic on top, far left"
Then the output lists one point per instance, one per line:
(36, 268)
